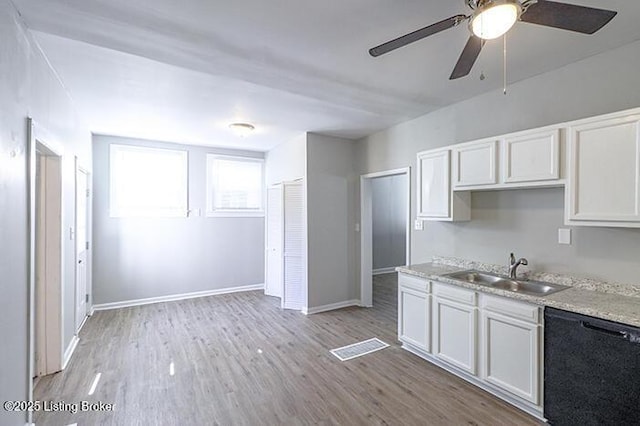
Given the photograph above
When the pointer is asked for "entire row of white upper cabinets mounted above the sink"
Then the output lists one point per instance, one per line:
(596, 159)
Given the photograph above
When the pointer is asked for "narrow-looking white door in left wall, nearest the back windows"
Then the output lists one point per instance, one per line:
(82, 194)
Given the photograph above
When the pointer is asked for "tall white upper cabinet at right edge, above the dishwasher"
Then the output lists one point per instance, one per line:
(603, 187)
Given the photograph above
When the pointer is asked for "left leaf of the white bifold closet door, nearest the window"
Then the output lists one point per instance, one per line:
(273, 275)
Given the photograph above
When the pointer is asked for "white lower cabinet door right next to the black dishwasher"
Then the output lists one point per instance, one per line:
(511, 355)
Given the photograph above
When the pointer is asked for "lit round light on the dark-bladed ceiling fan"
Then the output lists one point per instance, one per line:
(494, 18)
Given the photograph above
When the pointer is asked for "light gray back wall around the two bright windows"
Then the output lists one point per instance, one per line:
(138, 258)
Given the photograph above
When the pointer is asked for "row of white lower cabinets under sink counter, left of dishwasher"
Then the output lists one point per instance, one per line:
(491, 341)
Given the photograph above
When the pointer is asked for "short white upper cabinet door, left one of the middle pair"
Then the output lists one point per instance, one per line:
(475, 164)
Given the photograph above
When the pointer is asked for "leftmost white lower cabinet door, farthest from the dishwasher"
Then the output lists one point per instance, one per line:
(414, 314)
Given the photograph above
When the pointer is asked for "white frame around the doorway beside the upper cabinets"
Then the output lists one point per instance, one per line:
(366, 230)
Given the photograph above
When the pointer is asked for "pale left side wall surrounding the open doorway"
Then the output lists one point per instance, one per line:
(28, 87)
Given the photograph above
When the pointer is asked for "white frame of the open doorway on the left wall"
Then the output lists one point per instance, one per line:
(40, 141)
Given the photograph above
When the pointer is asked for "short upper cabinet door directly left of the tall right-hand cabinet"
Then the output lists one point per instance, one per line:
(532, 156)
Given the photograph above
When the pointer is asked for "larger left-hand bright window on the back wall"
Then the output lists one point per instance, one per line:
(148, 182)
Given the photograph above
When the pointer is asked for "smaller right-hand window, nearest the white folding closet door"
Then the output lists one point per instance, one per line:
(234, 186)
